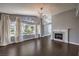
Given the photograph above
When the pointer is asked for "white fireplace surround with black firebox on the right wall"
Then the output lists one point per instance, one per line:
(60, 35)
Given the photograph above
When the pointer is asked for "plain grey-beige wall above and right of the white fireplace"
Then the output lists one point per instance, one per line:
(67, 20)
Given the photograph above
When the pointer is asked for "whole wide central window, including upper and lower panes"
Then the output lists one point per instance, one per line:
(27, 29)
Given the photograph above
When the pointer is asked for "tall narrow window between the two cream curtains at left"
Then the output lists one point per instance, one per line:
(12, 31)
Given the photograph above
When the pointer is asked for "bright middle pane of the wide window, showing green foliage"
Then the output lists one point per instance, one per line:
(27, 29)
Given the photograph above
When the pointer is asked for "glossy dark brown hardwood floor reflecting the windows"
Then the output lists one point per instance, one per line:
(40, 47)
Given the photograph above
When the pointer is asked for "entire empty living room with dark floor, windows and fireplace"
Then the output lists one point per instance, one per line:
(39, 29)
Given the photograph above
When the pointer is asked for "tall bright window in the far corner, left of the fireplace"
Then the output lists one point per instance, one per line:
(47, 24)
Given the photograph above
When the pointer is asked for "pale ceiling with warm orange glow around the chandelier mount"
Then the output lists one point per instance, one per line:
(34, 8)
